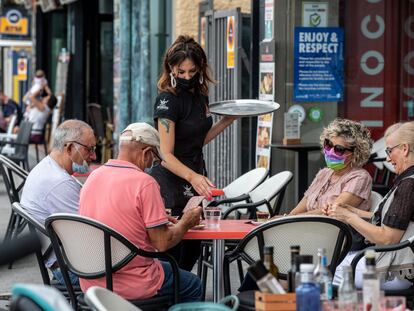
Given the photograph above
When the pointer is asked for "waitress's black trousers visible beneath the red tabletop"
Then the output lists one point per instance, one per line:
(186, 253)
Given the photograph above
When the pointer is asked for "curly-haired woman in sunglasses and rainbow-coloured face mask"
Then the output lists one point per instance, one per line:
(346, 146)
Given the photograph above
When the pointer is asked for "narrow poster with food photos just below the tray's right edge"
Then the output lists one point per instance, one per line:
(263, 139)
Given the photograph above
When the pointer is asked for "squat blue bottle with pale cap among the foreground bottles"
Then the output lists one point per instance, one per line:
(307, 293)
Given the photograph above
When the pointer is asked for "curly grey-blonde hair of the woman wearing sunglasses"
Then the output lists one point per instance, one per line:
(355, 134)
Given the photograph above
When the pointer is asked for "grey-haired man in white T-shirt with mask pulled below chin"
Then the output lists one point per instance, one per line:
(50, 188)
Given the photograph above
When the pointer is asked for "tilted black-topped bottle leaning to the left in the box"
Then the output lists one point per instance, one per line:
(266, 282)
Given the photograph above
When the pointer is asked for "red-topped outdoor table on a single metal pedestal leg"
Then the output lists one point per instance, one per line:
(228, 230)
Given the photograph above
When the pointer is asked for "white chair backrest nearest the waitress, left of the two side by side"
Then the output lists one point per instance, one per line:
(245, 183)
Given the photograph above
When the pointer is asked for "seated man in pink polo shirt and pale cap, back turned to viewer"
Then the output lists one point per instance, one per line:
(120, 195)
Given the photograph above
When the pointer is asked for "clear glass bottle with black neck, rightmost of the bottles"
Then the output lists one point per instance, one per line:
(370, 283)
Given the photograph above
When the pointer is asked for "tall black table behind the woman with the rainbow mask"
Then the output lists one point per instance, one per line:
(301, 175)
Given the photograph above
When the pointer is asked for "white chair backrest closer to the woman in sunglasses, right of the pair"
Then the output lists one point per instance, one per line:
(269, 189)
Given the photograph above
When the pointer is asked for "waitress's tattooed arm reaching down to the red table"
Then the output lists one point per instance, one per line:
(200, 183)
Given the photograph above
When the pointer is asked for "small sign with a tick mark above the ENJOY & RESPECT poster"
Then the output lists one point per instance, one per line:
(314, 14)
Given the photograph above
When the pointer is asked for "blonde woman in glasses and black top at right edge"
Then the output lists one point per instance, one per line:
(392, 220)
